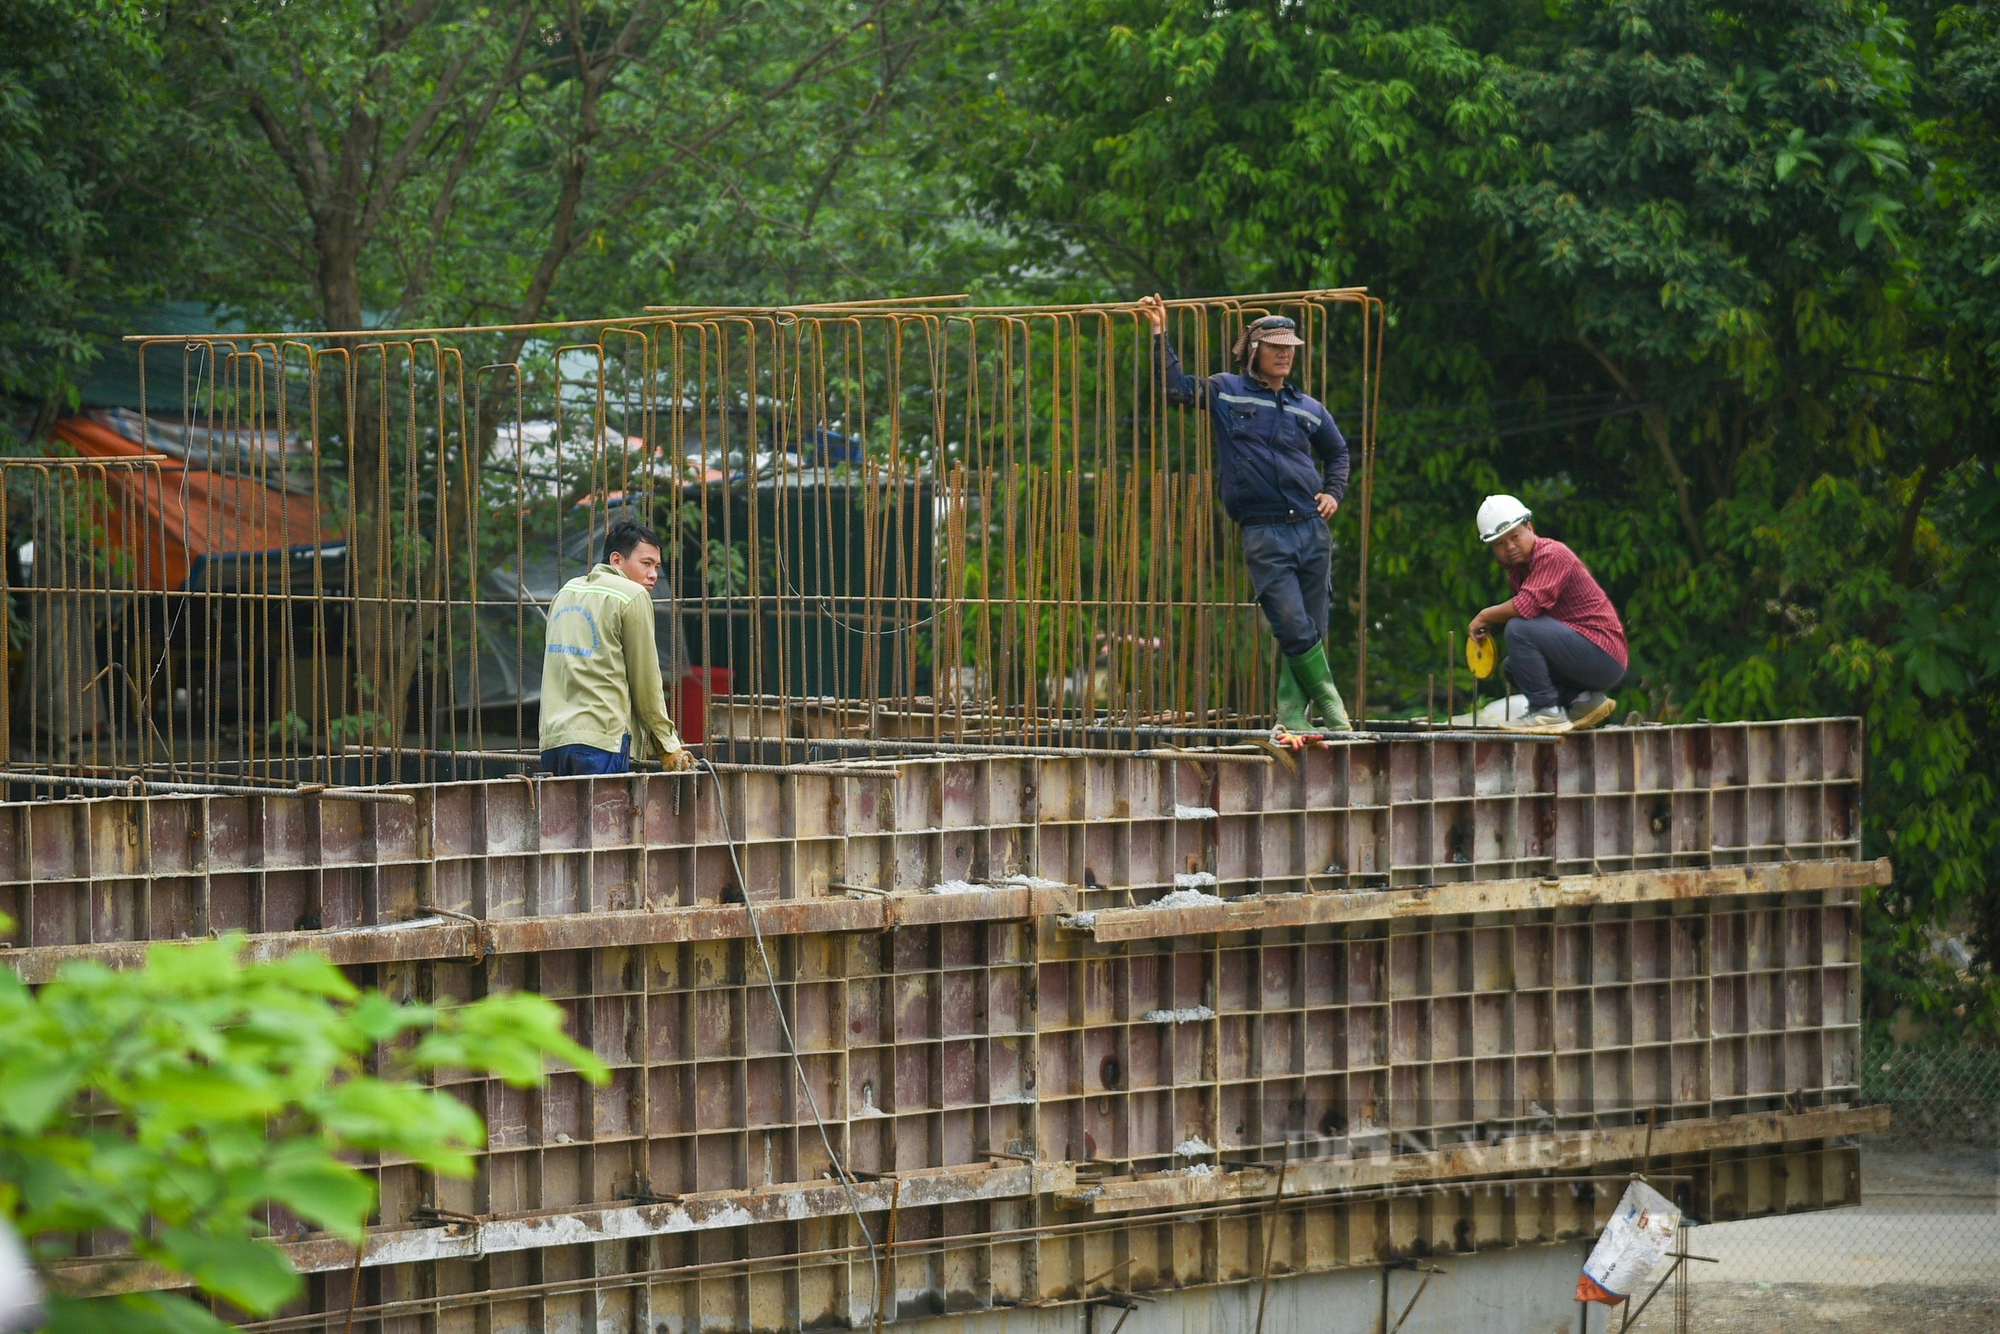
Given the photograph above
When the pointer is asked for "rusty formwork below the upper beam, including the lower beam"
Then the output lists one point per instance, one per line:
(1163, 1077)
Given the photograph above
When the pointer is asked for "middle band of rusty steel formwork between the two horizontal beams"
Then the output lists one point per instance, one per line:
(935, 1047)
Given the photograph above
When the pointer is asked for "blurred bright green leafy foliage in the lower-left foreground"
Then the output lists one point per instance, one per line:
(177, 1103)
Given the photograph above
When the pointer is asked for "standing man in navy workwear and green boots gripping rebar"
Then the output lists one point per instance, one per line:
(1283, 471)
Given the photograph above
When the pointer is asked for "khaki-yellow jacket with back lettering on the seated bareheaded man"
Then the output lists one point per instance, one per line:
(601, 673)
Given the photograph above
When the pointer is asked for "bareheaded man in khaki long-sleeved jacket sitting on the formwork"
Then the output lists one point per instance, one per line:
(601, 675)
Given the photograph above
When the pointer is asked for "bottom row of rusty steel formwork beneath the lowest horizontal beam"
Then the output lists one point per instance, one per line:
(983, 1255)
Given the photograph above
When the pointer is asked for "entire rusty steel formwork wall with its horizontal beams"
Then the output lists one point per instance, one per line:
(1375, 953)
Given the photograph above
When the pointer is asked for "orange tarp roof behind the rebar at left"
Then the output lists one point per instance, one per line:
(173, 515)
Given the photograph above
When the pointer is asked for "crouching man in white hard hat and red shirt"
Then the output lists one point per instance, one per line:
(1565, 643)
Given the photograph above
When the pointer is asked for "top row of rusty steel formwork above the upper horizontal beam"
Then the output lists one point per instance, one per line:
(1395, 813)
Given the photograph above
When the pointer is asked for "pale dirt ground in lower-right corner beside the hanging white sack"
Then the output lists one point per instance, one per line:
(1921, 1255)
